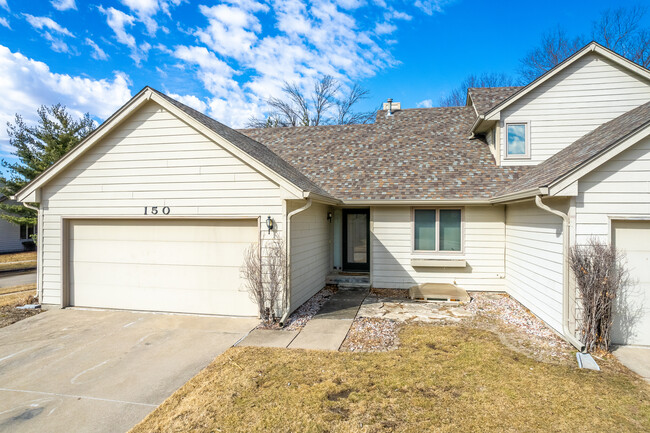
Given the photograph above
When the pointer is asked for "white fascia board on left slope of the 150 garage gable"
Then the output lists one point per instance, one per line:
(26, 194)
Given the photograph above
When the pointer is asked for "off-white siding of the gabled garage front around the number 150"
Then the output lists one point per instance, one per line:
(152, 159)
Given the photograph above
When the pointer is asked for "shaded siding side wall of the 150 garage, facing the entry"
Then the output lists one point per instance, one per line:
(310, 252)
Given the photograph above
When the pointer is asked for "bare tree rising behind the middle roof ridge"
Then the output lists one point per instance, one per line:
(325, 105)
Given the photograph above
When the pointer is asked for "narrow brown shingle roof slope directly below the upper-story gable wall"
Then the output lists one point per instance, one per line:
(582, 150)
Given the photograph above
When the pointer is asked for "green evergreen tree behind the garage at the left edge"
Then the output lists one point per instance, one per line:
(37, 148)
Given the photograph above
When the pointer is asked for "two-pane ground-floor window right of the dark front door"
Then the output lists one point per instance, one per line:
(437, 230)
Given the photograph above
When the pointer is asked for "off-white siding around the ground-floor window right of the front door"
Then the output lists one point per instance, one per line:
(391, 242)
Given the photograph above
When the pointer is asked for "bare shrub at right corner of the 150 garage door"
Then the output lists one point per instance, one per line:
(266, 274)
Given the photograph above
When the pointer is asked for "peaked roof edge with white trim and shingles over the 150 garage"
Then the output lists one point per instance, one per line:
(243, 147)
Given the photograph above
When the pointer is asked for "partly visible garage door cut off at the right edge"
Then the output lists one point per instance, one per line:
(632, 315)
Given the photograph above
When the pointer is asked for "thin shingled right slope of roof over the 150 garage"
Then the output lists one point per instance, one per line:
(256, 150)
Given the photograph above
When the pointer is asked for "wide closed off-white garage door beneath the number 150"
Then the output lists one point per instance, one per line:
(186, 266)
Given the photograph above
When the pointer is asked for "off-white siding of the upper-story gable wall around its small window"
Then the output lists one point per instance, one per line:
(585, 95)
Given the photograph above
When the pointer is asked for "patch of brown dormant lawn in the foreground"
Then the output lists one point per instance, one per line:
(442, 378)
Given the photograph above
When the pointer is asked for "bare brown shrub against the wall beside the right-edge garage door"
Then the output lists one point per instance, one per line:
(600, 273)
